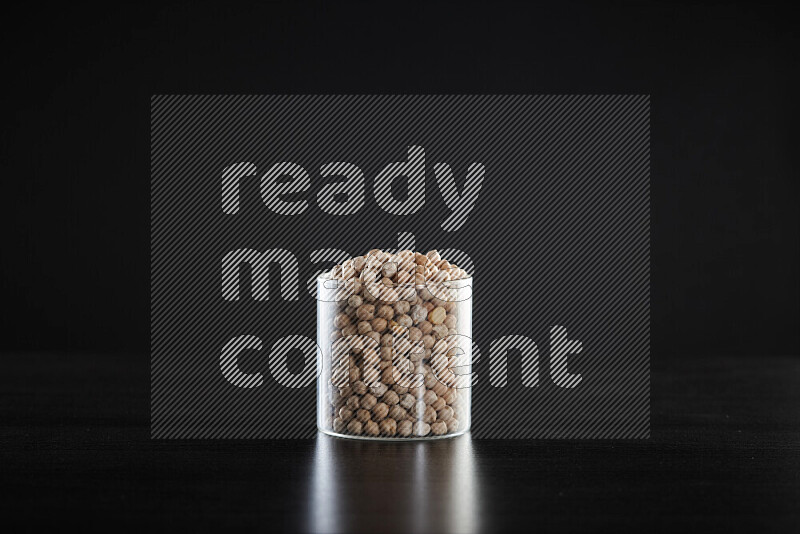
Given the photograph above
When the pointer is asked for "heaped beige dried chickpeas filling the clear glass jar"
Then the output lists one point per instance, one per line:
(395, 347)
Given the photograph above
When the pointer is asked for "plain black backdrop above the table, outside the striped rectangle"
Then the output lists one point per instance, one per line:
(75, 143)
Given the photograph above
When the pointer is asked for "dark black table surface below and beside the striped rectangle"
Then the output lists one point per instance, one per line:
(724, 455)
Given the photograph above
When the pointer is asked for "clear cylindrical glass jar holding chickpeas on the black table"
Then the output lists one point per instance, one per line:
(395, 364)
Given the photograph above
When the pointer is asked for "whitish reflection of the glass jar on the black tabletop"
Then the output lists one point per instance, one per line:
(429, 486)
